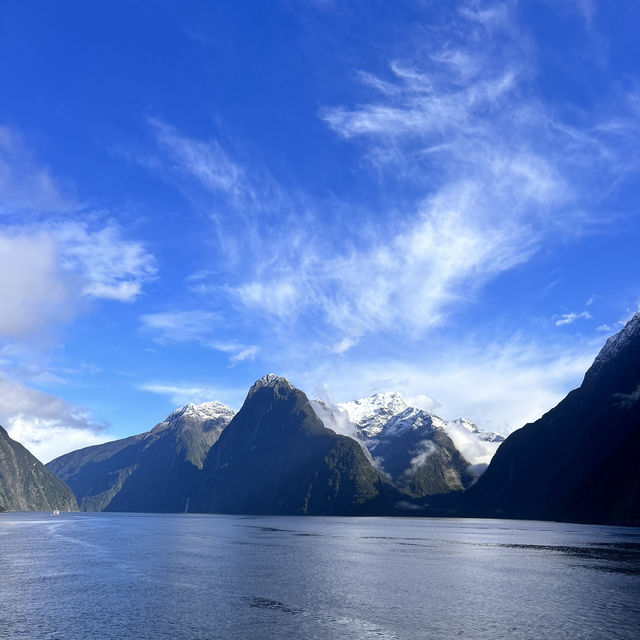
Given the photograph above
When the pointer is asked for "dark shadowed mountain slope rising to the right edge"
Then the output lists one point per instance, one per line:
(579, 462)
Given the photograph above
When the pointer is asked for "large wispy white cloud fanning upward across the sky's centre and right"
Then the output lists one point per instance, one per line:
(493, 172)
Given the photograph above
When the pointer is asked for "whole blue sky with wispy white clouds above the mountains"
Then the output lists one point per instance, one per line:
(435, 198)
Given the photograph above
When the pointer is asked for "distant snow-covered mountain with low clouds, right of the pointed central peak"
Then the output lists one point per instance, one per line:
(421, 453)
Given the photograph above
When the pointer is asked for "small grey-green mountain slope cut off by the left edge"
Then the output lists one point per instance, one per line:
(26, 484)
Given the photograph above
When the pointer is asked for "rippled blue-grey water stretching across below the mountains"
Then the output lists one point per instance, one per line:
(96, 576)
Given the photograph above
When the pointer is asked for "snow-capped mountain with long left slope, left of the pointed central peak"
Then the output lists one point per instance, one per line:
(156, 471)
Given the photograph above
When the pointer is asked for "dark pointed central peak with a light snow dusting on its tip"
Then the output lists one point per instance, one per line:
(276, 457)
